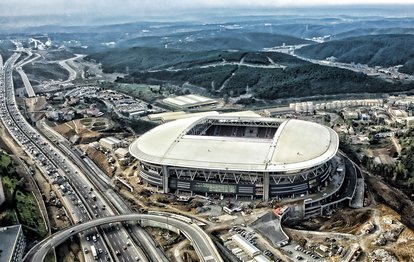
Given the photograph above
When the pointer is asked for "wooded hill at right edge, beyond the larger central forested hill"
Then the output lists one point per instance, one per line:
(374, 50)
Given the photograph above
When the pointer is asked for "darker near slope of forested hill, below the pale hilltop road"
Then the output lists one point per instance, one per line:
(297, 81)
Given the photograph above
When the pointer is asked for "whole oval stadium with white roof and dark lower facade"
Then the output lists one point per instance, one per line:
(237, 155)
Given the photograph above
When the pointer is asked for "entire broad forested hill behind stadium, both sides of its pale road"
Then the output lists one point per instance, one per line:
(225, 75)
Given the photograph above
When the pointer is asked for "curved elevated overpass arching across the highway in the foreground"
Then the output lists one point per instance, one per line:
(201, 242)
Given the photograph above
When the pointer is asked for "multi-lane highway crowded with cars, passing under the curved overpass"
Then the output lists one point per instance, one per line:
(56, 165)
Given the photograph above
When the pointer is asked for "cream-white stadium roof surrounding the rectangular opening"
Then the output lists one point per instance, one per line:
(296, 145)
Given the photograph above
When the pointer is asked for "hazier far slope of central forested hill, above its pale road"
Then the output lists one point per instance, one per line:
(148, 59)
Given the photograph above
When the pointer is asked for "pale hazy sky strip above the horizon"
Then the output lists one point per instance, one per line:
(152, 7)
